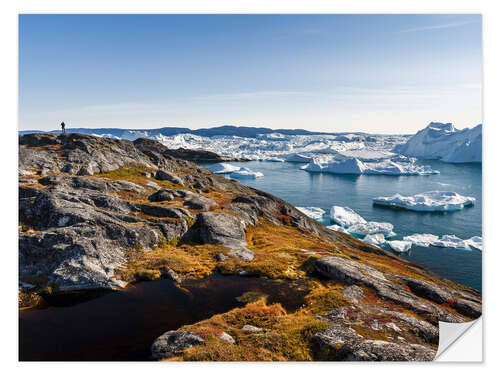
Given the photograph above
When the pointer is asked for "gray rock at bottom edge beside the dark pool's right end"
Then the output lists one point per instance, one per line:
(172, 343)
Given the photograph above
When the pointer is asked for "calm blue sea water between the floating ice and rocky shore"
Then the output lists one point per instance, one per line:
(301, 188)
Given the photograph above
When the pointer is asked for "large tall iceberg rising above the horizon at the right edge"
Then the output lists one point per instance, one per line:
(445, 142)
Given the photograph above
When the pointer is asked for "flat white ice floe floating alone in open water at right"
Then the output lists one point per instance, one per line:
(428, 201)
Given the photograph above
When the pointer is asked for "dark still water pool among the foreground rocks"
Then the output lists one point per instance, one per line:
(121, 326)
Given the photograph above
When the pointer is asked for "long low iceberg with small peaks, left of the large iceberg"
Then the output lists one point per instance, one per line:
(357, 167)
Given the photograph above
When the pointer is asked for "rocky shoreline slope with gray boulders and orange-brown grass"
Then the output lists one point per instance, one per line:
(100, 213)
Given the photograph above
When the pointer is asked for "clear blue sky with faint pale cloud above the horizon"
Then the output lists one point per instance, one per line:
(375, 73)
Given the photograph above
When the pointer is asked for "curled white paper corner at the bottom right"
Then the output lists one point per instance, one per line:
(459, 343)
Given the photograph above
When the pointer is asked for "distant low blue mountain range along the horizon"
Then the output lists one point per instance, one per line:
(241, 131)
